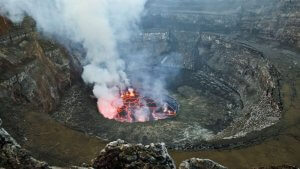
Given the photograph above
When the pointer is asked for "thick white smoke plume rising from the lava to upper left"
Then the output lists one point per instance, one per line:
(98, 25)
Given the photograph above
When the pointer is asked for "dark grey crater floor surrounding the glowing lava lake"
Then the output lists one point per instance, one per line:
(204, 112)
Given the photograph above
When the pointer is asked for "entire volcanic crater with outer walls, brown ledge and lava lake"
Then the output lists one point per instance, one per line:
(229, 70)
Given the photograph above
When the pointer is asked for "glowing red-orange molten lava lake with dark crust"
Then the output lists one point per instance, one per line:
(130, 106)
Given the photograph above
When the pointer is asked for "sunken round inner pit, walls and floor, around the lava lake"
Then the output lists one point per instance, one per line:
(226, 90)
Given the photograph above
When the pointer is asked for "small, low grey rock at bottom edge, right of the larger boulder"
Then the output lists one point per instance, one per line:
(196, 163)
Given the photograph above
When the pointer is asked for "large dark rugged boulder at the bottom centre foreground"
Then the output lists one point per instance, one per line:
(121, 155)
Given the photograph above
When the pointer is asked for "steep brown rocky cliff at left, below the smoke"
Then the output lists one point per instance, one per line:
(32, 70)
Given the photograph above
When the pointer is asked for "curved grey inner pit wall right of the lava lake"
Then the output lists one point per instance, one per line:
(248, 72)
